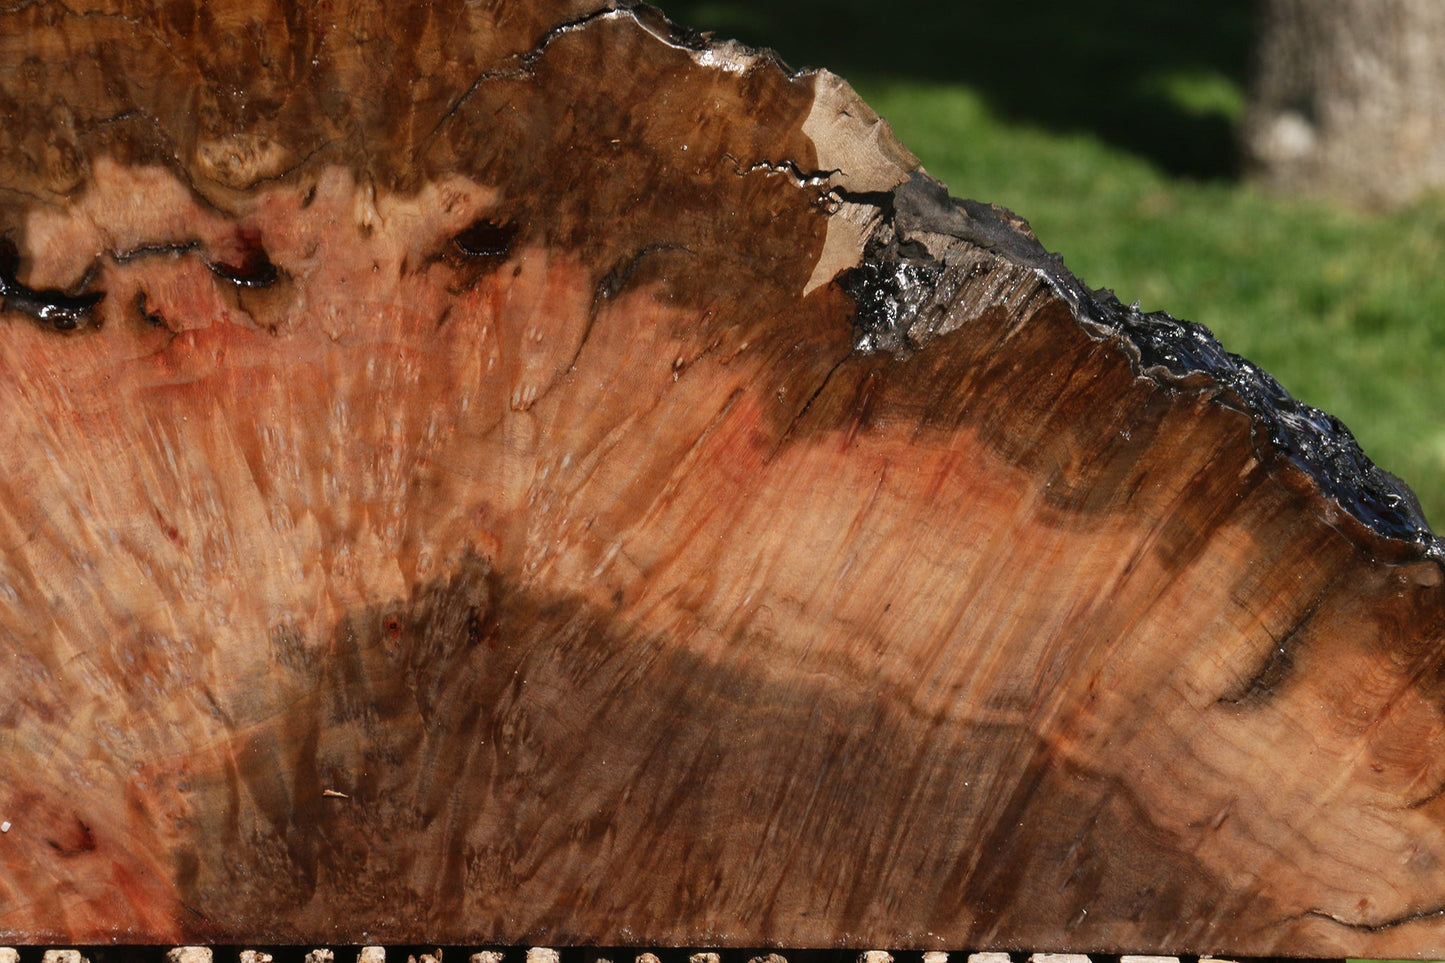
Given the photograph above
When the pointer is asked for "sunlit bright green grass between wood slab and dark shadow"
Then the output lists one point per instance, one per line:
(1346, 310)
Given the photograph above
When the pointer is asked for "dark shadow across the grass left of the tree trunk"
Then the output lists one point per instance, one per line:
(1161, 80)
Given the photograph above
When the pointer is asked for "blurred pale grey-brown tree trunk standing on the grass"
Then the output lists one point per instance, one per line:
(1350, 99)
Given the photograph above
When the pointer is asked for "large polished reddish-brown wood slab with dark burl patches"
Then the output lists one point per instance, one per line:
(512, 484)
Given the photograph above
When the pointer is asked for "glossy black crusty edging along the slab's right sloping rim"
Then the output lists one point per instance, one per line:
(900, 281)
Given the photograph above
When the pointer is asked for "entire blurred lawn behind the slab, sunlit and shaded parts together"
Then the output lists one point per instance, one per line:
(1109, 127)
